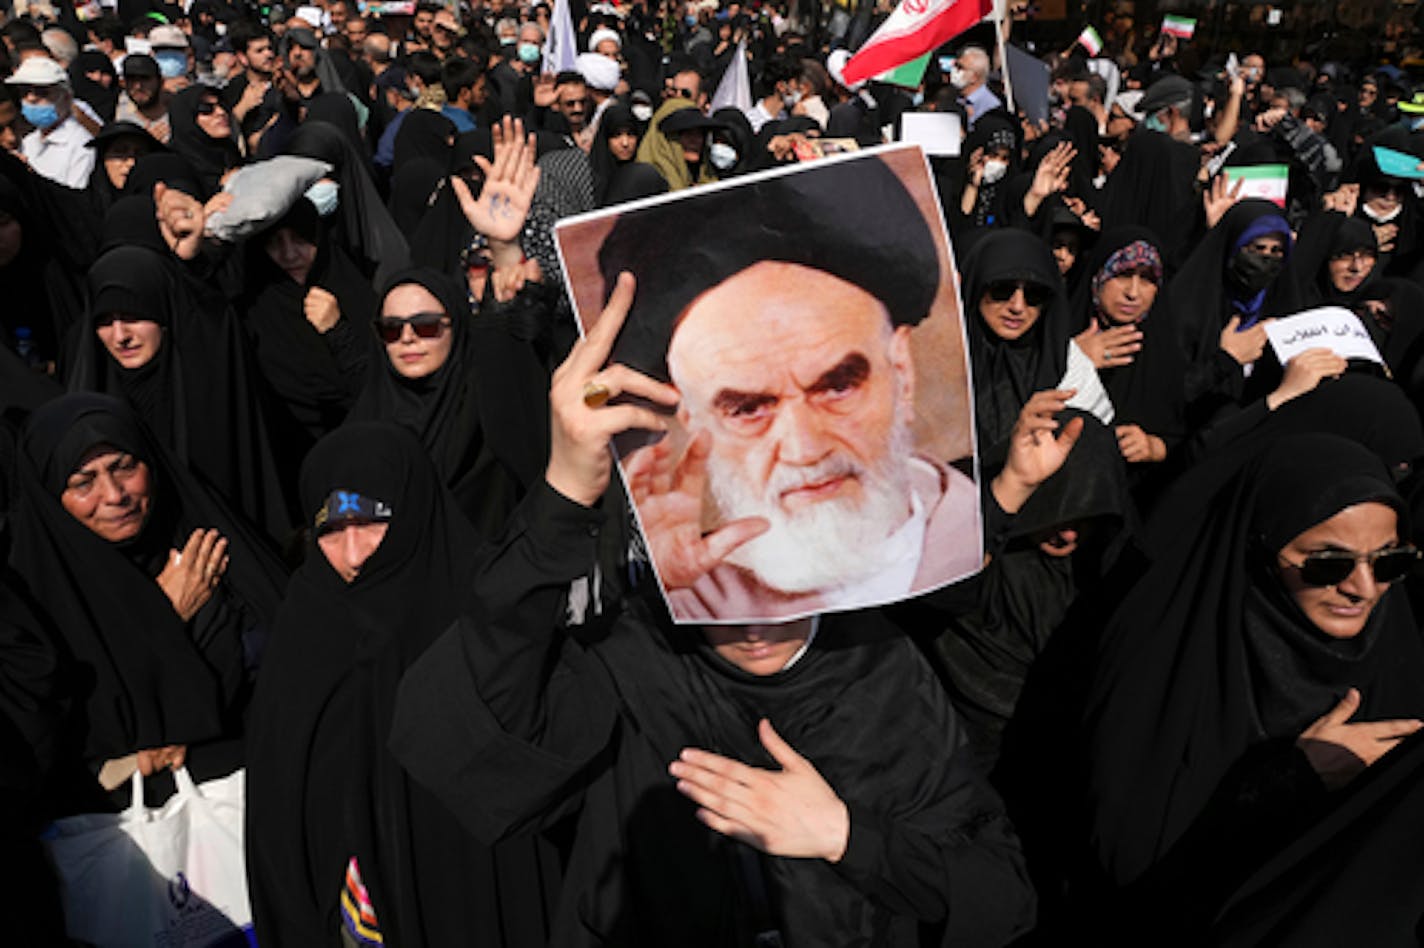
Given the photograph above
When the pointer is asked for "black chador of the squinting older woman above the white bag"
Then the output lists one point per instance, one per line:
(143, 678)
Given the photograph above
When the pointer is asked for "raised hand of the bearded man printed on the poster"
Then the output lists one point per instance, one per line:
(669, 493)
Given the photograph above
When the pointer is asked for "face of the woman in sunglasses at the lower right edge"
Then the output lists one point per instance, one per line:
(1342, 610)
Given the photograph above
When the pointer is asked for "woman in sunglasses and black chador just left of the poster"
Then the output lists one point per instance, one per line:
(452, 379)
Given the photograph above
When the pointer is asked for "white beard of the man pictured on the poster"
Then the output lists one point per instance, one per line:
(828, 544)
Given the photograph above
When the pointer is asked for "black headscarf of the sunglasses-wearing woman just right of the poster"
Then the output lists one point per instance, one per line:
(1007, 374)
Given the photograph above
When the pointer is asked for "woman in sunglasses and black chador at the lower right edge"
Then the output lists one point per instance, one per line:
(1264, 664)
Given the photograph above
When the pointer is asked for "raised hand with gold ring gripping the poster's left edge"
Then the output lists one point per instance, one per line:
(580, 423)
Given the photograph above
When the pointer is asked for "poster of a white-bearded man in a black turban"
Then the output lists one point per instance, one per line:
(807, 469)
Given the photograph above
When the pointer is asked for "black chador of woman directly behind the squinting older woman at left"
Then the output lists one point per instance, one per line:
(197, 395)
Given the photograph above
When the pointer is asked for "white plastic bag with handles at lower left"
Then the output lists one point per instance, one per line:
(169, 878)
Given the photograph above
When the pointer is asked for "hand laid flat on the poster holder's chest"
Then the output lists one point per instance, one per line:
(791, 812)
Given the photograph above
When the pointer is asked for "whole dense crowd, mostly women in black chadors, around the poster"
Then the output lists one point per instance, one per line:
(307, 472)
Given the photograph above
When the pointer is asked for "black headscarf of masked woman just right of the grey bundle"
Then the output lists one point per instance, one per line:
(365, 228)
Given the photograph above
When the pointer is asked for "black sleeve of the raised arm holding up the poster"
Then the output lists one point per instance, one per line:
(505, 718)
